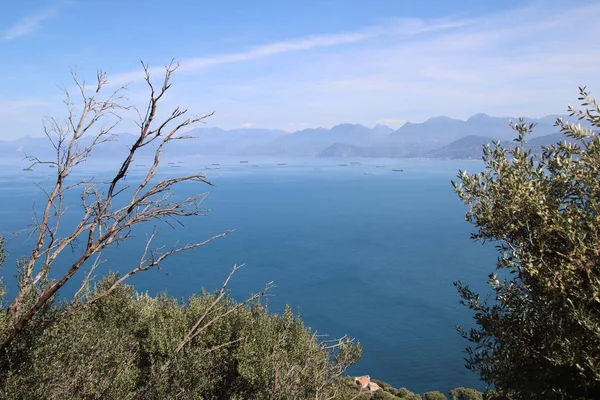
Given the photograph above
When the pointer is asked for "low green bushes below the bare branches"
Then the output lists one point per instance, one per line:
(122, 347)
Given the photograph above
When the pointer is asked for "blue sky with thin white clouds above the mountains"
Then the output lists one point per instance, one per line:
(302, 64)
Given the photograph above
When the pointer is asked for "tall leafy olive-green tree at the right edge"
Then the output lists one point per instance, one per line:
(539, 337)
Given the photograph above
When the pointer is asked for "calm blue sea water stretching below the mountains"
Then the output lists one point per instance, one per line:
(358, 250)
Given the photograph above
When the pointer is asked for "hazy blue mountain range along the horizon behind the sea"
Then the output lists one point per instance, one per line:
(438, 137)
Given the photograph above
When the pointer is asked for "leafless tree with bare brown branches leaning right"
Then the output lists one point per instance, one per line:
(104, 221)
